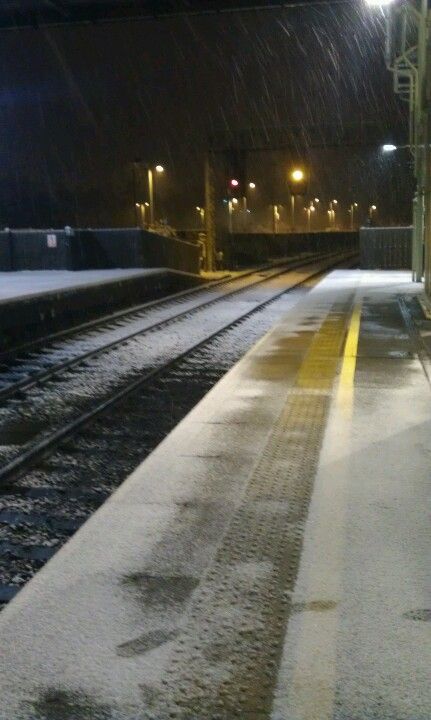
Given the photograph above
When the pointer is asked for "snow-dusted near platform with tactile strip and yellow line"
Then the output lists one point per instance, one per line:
(269, 559)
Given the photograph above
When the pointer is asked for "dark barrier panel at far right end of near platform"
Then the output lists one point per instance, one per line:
(386, 248)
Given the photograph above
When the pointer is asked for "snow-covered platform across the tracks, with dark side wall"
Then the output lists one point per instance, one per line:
(35, 303)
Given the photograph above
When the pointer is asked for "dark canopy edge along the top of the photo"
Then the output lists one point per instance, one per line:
(35, 13)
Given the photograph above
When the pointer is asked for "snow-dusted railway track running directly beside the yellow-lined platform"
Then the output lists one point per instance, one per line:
(56, 482)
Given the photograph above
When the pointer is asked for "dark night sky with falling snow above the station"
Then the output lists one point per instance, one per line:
(78, 104)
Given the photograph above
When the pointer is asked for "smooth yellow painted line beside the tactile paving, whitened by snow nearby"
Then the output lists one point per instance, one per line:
(312, 693)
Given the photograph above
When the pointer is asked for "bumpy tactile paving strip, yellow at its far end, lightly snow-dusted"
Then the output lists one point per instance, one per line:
(225, 662)
